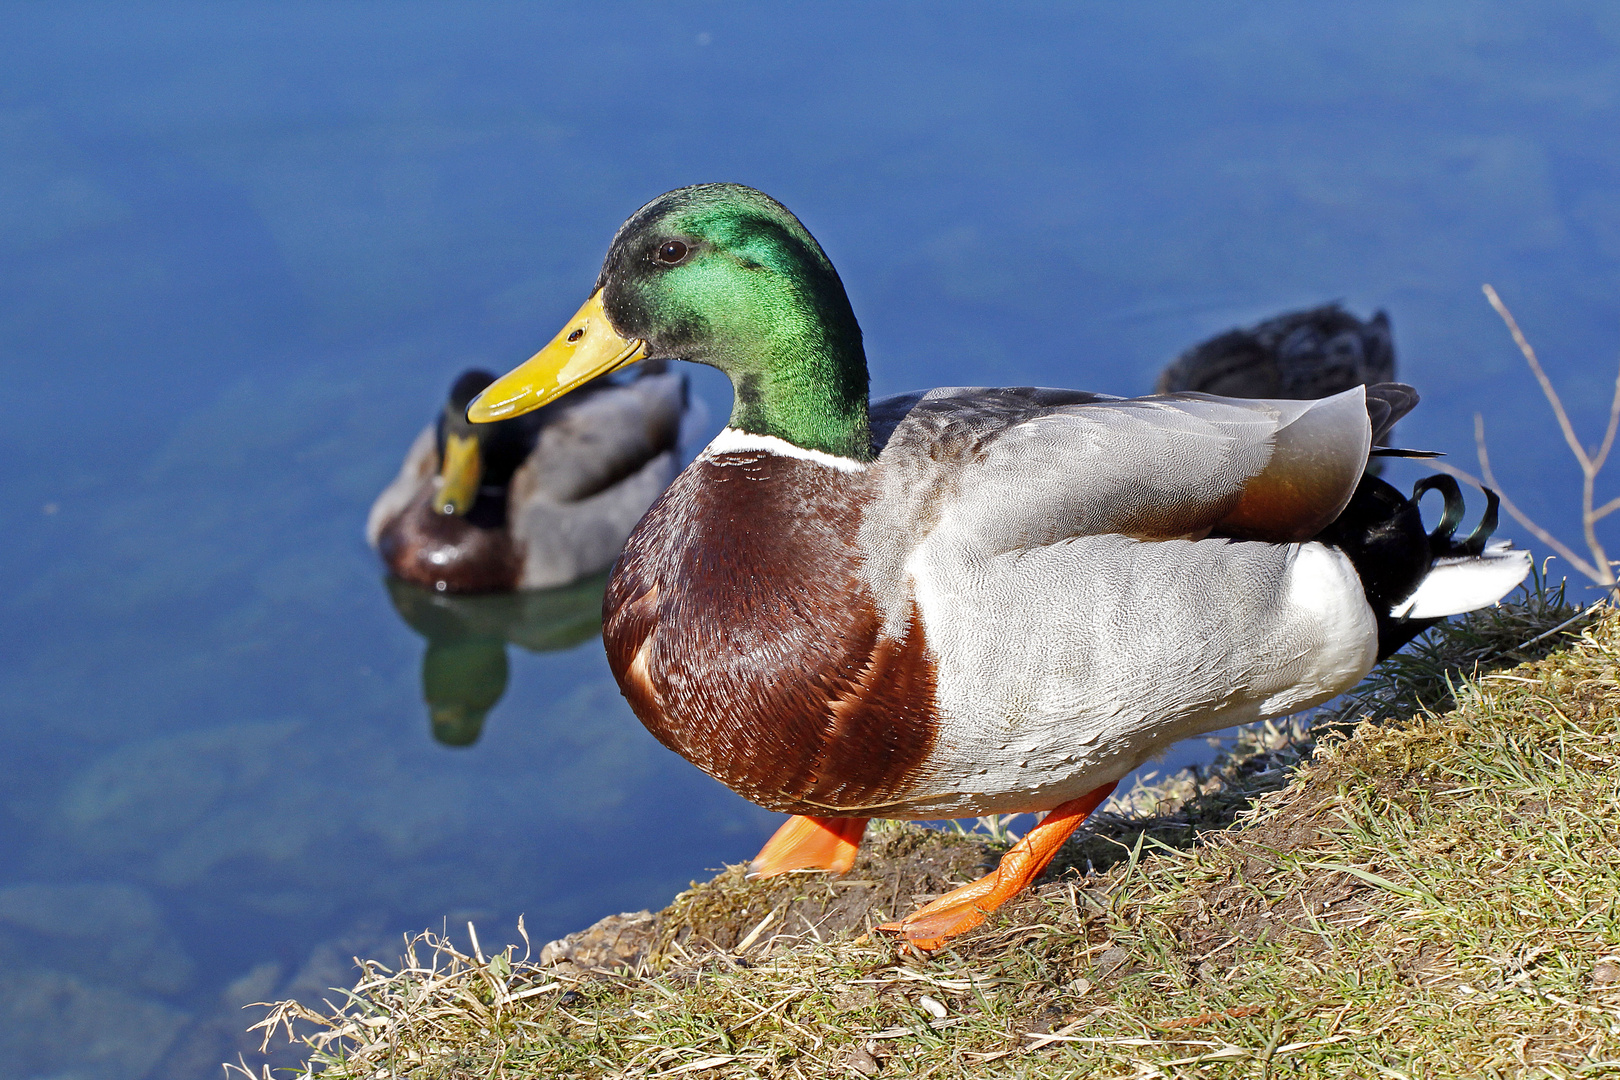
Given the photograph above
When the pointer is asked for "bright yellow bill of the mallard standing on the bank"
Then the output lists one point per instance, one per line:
(587, 347)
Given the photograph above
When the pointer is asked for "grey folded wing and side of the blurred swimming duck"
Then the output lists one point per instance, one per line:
(594, 474)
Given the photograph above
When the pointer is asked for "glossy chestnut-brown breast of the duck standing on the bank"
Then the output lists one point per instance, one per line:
(744, 637)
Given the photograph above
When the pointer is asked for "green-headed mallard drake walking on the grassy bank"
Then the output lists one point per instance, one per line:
(970, 602)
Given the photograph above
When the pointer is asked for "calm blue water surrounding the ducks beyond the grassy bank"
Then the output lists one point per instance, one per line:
(245, 247)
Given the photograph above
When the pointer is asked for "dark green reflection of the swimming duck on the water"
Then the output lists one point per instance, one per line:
(464, 673)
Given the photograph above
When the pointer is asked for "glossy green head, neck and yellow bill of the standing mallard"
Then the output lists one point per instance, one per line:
(723, 276)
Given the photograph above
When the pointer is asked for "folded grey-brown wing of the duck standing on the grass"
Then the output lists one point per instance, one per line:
(1021, 469)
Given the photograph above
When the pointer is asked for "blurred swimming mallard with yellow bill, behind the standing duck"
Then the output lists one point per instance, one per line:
(531, 503)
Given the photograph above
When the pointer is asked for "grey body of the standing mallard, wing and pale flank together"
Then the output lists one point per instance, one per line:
(1101, 577)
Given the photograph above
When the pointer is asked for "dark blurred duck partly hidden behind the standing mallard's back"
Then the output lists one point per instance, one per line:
(1300, 355)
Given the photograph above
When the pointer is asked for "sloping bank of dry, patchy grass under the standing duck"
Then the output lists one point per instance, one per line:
(1431, 895)
